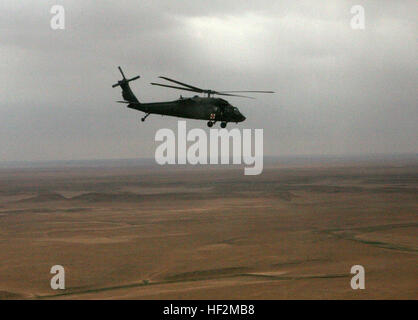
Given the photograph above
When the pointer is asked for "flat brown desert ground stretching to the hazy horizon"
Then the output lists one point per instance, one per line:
(165, 233)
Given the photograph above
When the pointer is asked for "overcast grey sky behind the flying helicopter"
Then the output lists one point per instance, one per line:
(339, 90)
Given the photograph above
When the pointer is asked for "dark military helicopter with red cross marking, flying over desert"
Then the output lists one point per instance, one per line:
(203, 108)
